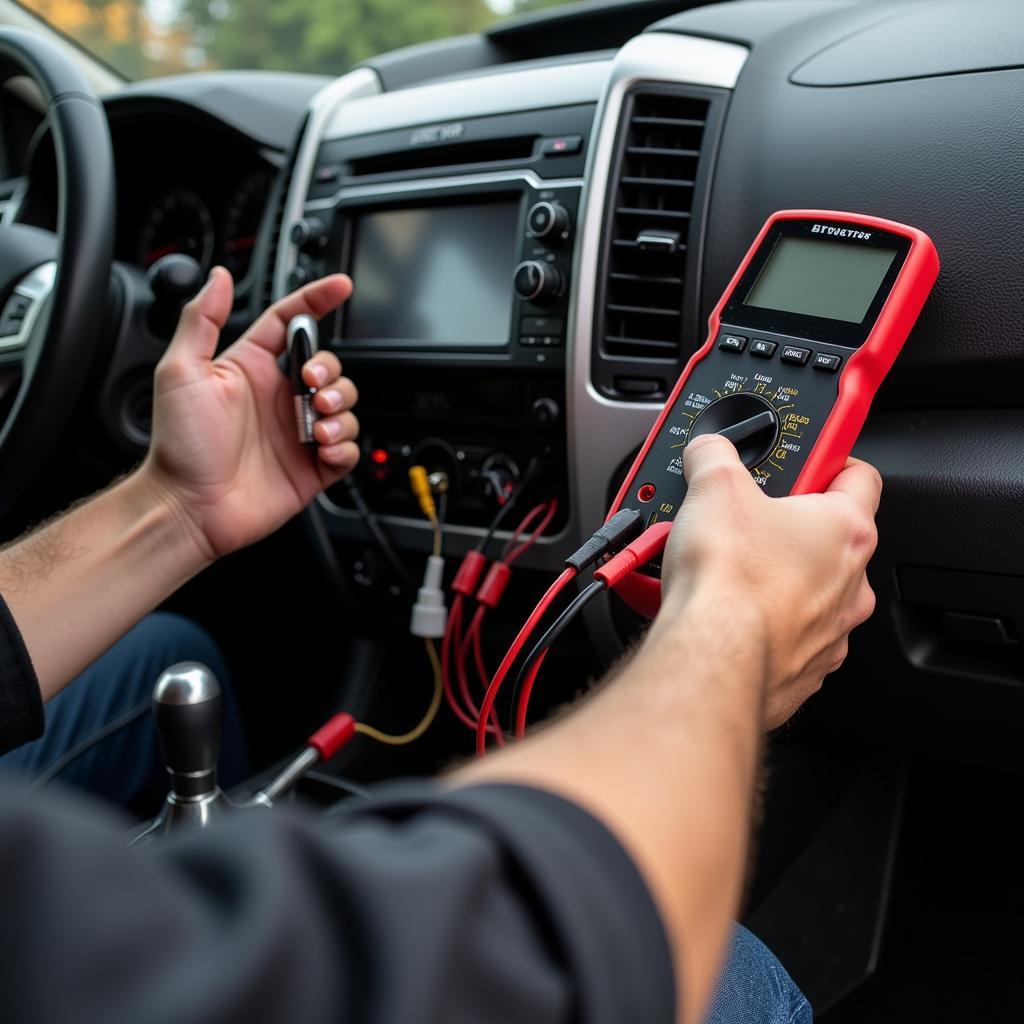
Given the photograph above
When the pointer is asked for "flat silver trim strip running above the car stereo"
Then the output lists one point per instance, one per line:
(445, 103)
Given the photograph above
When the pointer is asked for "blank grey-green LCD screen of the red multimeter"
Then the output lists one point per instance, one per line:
(820, 278)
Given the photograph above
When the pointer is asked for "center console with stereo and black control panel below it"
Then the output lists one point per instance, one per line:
(460, 239)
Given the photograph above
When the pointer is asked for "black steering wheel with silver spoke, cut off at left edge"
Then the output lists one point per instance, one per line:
(55, 291)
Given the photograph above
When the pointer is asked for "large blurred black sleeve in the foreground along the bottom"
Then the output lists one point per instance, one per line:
(490, 905)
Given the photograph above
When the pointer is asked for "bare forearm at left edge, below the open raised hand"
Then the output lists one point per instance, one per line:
(77, 585)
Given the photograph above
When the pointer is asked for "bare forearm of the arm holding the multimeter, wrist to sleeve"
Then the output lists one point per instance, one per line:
(667, 758)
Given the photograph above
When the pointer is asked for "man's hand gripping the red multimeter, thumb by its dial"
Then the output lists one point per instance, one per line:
(792, 569)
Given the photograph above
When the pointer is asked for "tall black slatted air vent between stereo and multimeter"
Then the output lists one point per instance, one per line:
(653, 235)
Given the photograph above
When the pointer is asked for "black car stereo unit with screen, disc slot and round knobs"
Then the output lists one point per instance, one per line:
(471, 259)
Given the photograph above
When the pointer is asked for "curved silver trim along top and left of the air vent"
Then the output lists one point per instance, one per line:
(603, 433)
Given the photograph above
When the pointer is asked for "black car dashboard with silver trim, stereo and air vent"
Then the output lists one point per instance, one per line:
(537, 243)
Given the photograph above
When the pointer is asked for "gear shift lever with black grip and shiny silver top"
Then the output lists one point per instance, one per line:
(187, 708)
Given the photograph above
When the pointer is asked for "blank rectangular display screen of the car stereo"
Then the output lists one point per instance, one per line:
(438, 276)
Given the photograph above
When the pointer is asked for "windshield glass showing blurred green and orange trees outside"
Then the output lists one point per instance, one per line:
(147, 38)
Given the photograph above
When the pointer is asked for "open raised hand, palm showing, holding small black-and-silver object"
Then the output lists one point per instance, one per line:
(225, 453)
